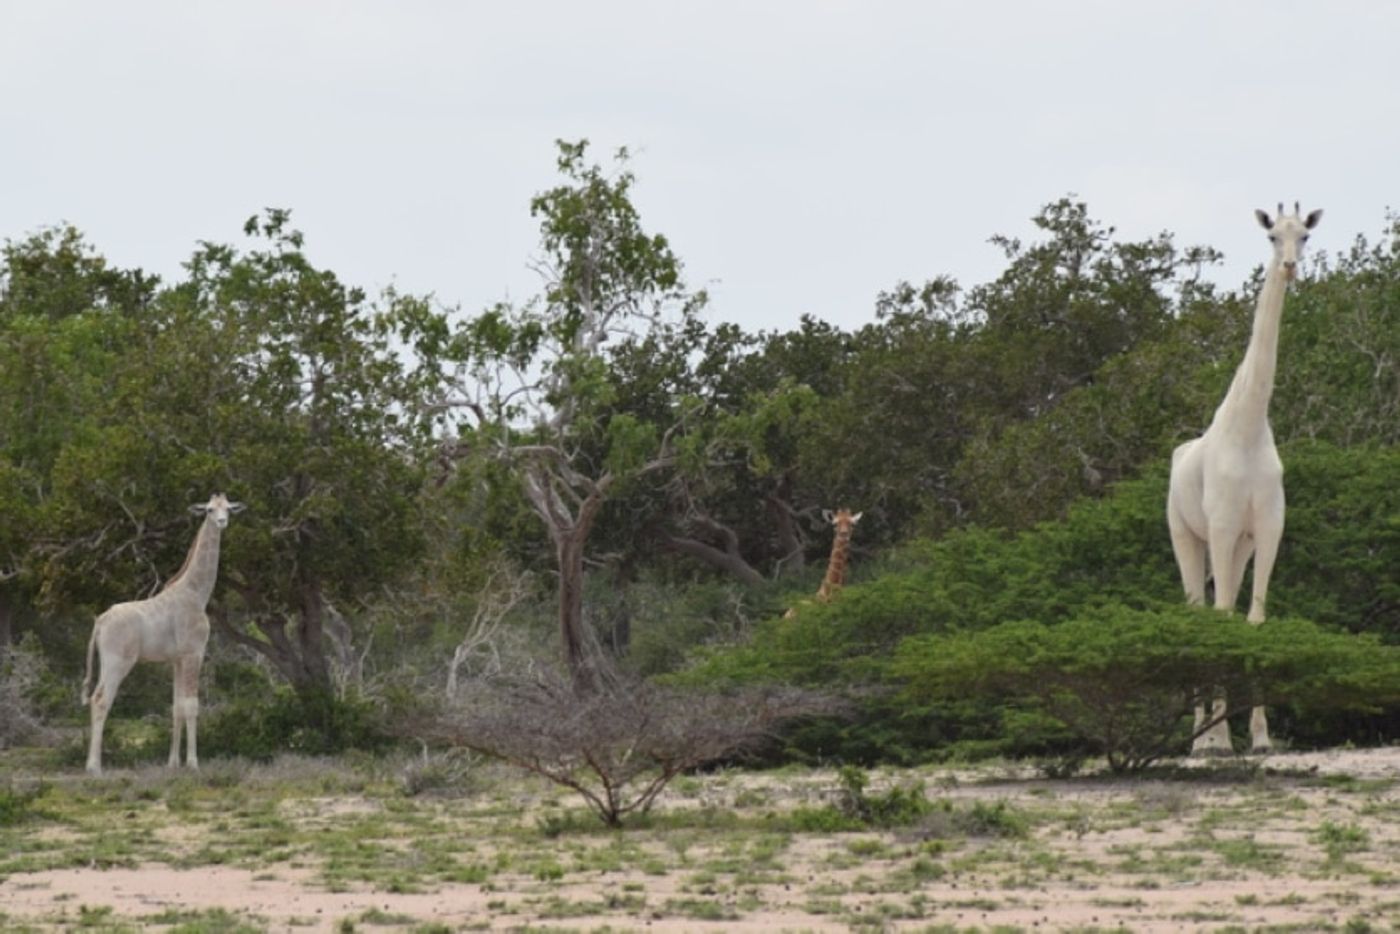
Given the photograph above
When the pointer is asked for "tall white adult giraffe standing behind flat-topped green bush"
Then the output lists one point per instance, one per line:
(1227, 494)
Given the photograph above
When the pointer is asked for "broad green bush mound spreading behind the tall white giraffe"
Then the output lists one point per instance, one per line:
(1336, 568)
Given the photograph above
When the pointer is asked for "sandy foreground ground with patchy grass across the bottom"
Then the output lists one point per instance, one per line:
(1294, 842)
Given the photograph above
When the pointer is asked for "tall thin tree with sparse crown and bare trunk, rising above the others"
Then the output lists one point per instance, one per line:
(534, 380)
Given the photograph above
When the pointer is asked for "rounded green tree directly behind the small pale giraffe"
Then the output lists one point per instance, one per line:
(295, 389)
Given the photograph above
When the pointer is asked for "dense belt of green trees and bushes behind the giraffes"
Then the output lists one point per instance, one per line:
(432, 492)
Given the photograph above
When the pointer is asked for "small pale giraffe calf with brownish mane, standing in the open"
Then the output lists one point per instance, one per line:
(170, 627)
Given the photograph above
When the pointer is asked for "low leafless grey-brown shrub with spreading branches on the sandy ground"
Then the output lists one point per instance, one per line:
(619, 740)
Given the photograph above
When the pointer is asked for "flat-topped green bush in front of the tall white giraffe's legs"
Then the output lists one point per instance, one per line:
(1123, 683)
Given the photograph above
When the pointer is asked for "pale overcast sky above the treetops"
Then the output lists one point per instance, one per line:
(800, 156)
